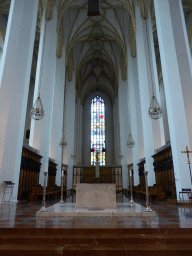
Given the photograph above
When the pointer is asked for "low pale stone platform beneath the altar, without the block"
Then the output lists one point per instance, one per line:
(69, 210)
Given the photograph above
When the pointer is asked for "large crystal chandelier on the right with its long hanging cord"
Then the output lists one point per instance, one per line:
(155, 110)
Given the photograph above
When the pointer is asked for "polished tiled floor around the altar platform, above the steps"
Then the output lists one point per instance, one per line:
(23, 214)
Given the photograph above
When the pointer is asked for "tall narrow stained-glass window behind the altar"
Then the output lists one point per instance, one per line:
(97, 130)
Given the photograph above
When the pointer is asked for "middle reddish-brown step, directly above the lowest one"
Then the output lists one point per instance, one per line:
(107, 239)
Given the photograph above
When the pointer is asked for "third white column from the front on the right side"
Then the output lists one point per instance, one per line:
(133, 119)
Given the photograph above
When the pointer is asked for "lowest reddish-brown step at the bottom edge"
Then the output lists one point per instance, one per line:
(93, 250)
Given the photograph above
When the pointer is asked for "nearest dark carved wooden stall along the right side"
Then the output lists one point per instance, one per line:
(164, 172)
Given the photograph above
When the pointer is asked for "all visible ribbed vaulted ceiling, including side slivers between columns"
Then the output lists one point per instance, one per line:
(95, 46)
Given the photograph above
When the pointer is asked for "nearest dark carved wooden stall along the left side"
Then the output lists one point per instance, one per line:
(29, 171)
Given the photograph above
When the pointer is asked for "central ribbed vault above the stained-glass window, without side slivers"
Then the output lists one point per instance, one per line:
(95, 45)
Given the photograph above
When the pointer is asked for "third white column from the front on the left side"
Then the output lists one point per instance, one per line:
(57, 116)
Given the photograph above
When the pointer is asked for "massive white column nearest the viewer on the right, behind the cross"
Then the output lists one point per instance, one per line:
(177, 82)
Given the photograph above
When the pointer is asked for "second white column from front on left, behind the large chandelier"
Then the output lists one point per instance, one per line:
(40, 137)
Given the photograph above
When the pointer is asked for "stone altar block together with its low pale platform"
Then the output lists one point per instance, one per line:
(89, 205)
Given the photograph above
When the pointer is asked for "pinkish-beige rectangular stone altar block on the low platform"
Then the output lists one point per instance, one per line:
(98, 196)
